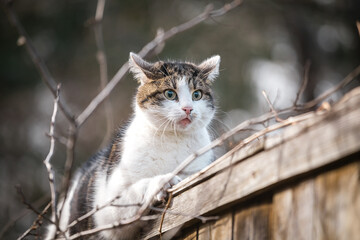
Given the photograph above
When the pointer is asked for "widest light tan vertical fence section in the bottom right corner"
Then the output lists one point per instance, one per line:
(327, 207)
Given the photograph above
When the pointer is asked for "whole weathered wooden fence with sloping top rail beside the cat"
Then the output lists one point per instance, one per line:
(301, 184)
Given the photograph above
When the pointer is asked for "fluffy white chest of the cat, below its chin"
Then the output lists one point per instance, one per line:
(148, 153)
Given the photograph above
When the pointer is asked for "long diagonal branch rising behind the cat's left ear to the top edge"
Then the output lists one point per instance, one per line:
(148, 48)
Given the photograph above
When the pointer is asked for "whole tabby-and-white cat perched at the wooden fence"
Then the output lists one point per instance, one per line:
(173, 107)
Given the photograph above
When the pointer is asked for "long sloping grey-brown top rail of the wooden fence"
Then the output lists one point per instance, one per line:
(333, 137)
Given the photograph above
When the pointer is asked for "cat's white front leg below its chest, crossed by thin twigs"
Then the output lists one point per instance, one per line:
(127, 201)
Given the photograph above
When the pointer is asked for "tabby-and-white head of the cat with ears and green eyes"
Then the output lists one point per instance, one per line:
(175, 96)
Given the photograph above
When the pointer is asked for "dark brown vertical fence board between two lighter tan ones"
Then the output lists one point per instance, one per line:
(253, 223)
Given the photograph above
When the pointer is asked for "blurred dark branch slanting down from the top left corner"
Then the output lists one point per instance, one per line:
(35, 57)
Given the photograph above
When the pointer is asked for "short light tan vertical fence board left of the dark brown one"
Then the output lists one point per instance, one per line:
(220, 229)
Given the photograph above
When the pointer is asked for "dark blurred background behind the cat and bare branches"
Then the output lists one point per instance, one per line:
(263, 45)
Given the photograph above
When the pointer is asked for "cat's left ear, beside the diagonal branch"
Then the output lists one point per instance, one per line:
(141, 69)
